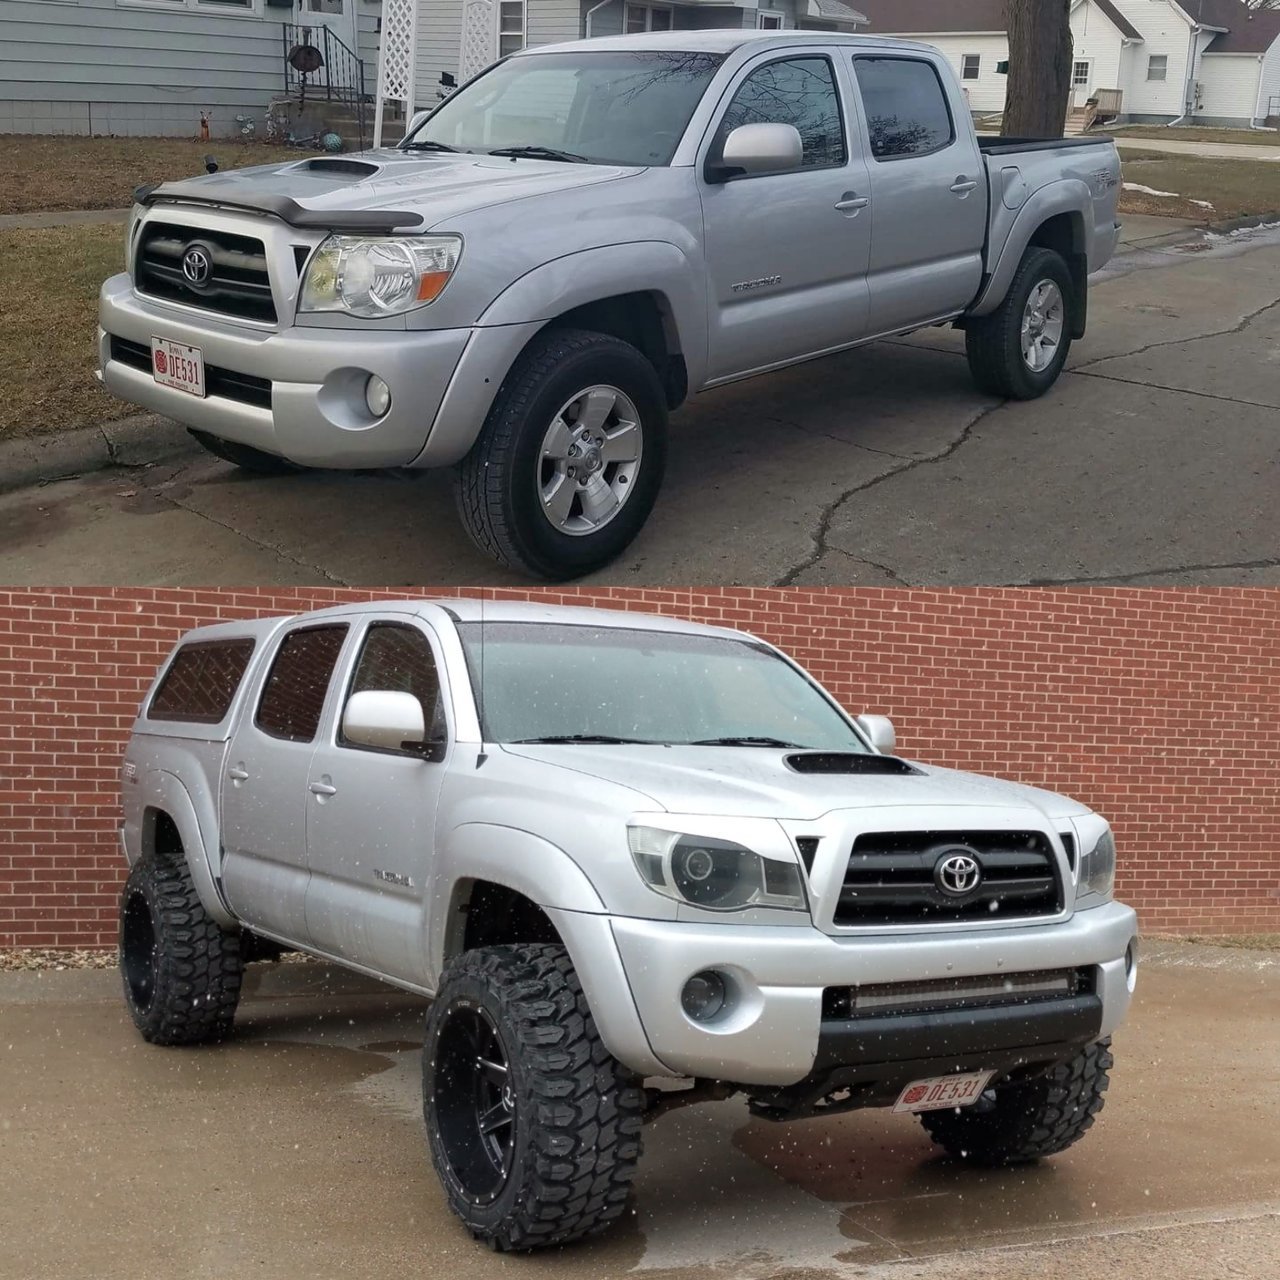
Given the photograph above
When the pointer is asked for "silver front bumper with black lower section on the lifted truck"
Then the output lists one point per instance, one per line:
(775, 1032)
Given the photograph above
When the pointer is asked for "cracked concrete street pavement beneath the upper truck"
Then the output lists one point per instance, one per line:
(1155, 461)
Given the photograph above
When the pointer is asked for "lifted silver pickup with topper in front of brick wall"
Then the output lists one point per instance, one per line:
(638, 863)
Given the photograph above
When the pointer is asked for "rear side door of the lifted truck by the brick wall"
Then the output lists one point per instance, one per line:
(266, 781)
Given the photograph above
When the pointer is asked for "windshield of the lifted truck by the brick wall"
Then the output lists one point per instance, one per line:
(583, 684)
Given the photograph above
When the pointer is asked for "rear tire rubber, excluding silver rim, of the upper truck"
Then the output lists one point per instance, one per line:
(995, 344)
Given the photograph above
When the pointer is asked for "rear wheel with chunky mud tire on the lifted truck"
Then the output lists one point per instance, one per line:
(180, 967)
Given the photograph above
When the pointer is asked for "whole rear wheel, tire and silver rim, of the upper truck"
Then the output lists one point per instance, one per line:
(1018, 351)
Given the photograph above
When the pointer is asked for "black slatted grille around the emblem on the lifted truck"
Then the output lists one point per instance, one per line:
(890, 879)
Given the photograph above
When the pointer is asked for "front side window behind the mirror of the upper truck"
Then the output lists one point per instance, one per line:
(799, 92)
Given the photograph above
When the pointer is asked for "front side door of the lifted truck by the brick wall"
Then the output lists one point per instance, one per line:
(372, 813)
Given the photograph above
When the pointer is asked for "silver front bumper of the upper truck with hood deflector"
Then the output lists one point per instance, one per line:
(317, 413)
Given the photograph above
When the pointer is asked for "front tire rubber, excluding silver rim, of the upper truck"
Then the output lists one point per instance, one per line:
(496, 484)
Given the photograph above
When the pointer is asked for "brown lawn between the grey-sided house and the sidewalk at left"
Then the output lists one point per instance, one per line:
(39, 173)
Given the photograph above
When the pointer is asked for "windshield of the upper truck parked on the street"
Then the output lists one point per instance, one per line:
(621, 108)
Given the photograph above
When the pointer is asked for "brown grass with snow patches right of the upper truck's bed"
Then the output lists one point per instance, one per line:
(1232, 188)
